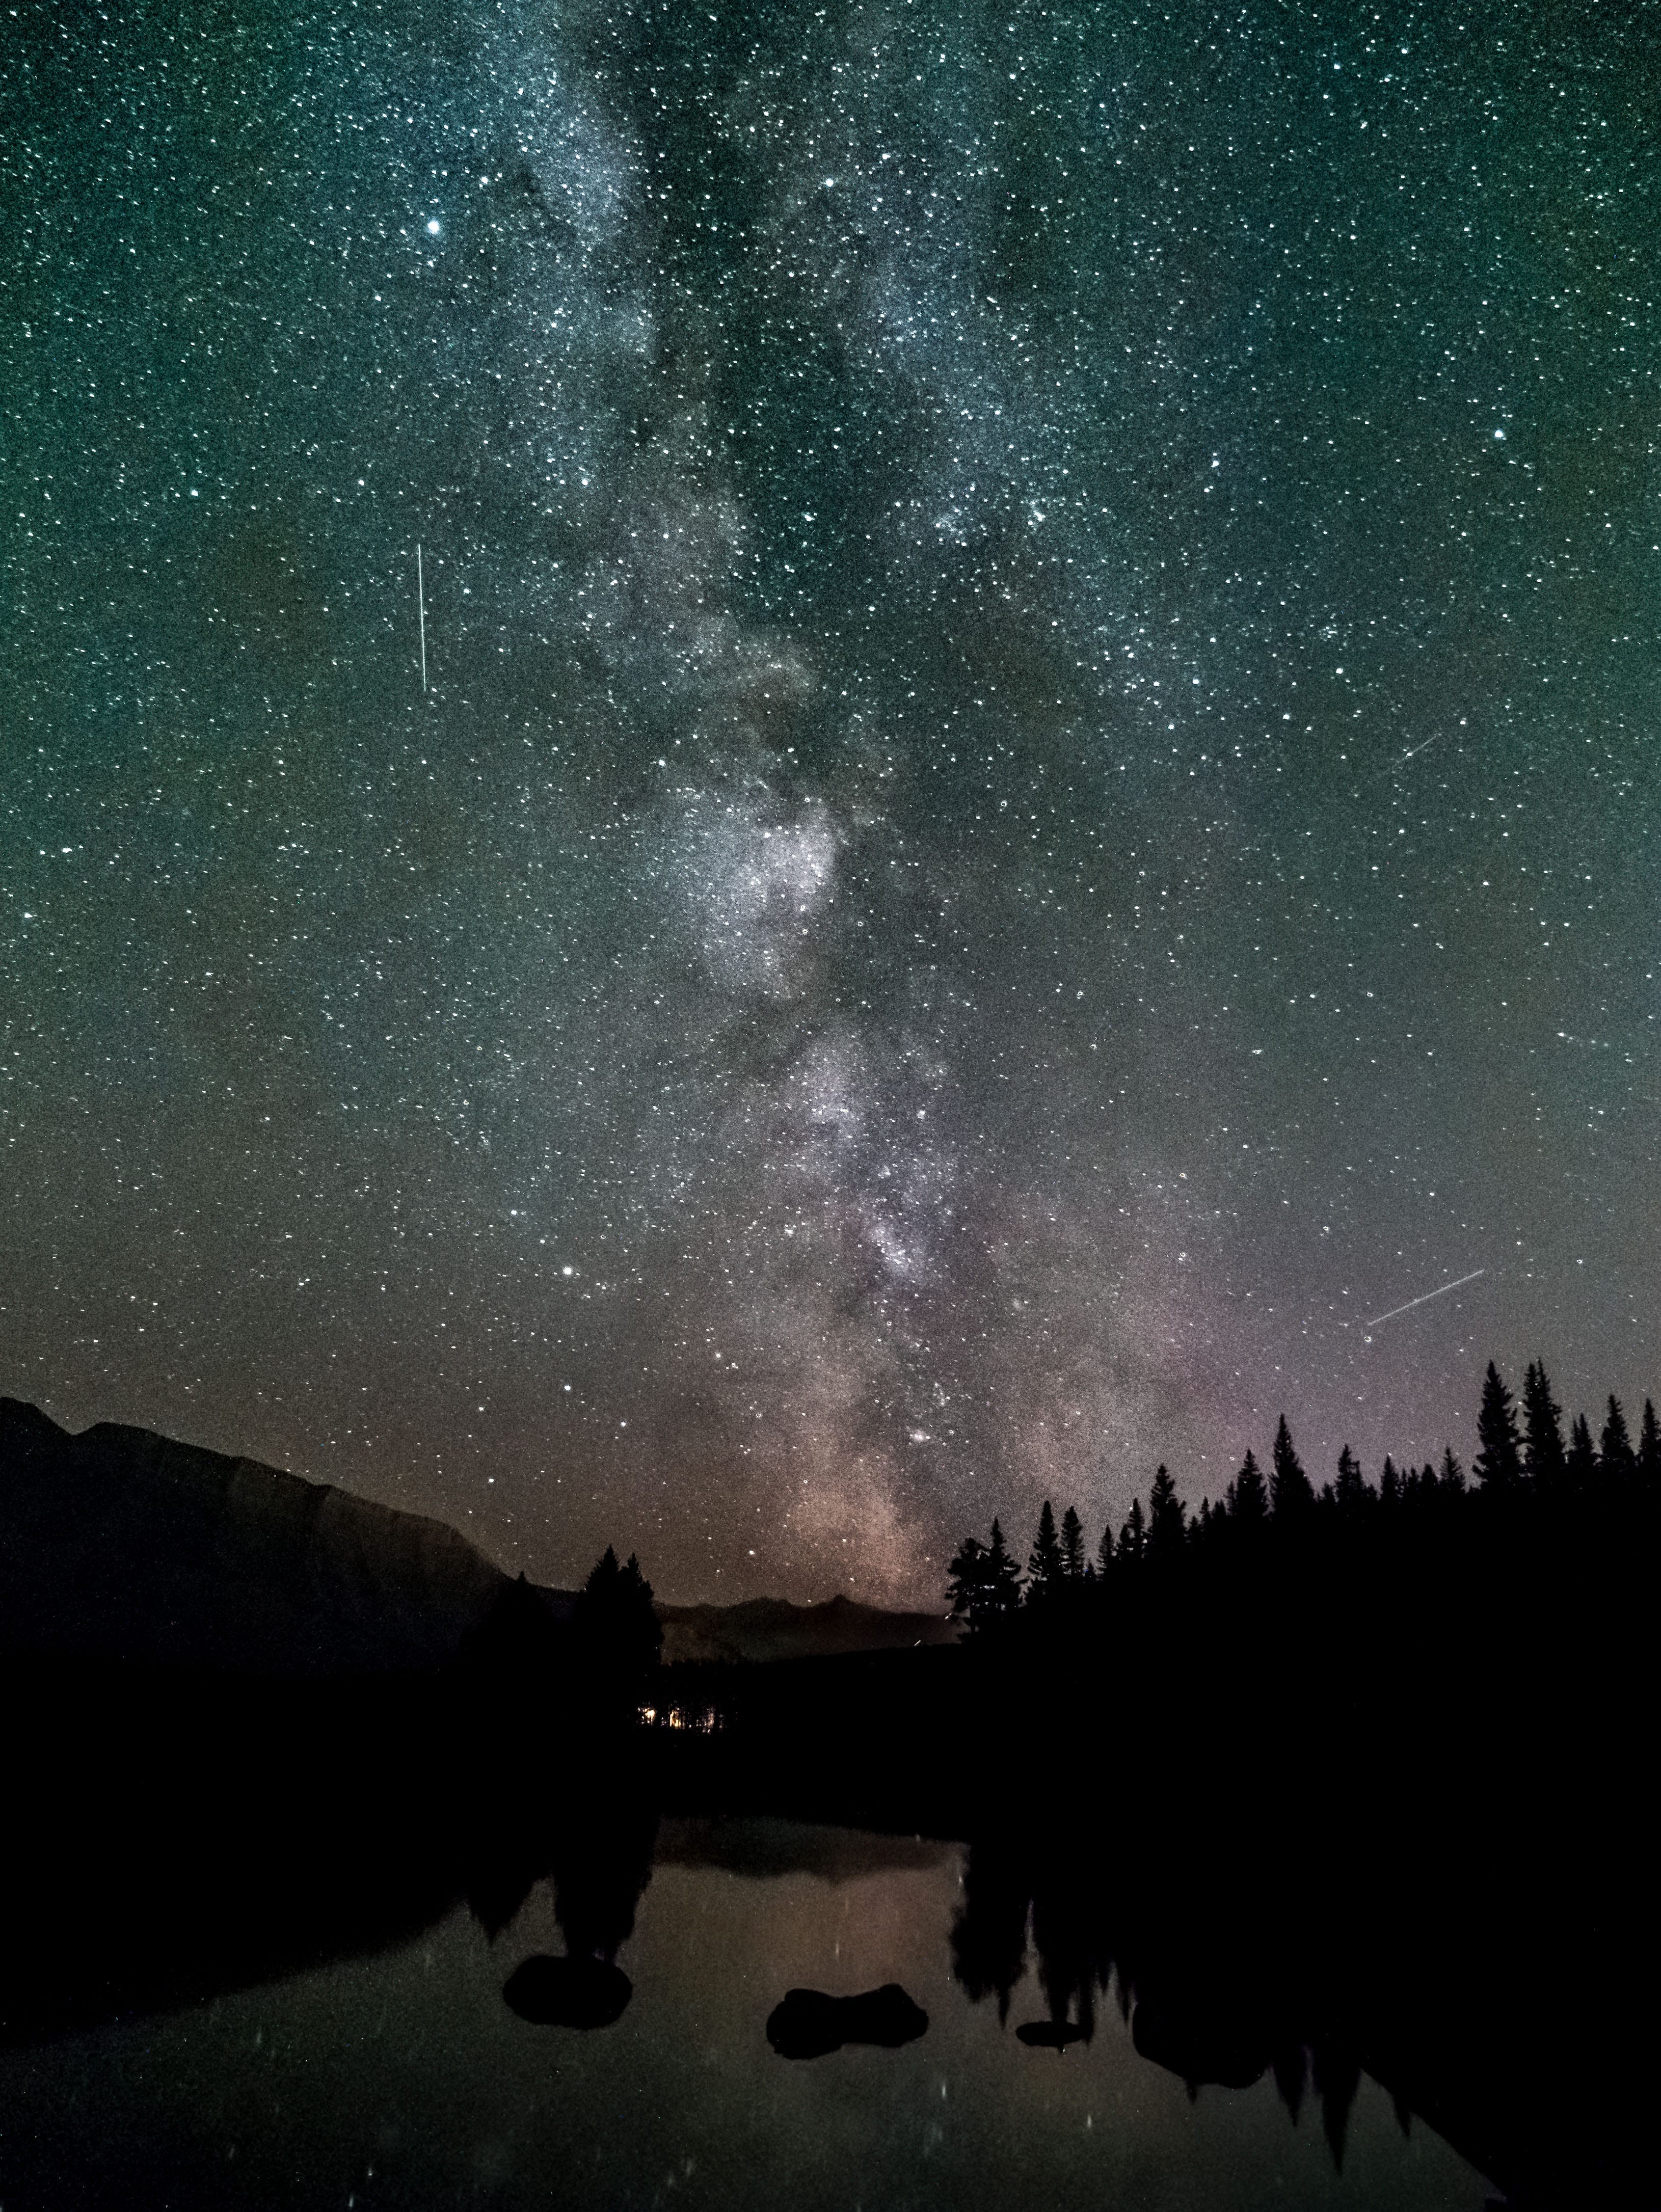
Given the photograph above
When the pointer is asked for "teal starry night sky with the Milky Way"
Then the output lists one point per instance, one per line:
(1038, 782)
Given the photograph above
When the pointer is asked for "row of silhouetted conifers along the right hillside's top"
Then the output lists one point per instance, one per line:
(1525, 1465)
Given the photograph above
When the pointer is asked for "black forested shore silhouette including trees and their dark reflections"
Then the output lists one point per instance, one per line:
(1324, 1780)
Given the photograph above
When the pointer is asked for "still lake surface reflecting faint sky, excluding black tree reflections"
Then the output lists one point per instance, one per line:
(406, 2080)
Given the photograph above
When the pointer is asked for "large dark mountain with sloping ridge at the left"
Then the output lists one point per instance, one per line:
(127, 1545)
